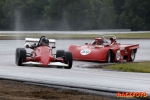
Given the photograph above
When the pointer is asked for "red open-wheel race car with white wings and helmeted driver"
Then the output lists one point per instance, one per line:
(42, 54)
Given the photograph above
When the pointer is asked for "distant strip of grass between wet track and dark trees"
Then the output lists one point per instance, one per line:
(72, 36)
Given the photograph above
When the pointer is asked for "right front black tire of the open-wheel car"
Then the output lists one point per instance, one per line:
(68, 60)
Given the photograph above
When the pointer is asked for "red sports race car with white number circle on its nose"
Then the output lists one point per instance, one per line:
(102, 49)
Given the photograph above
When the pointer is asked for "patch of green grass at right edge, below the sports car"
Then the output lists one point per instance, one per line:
(143, 67)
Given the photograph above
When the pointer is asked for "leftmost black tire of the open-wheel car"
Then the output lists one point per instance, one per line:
(20, 56)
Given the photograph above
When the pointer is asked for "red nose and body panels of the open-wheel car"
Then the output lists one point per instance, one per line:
(44, 55)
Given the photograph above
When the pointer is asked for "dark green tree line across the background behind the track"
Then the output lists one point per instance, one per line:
(28, 15)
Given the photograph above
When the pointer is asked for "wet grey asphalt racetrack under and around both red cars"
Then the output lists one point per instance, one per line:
(80, 75)
